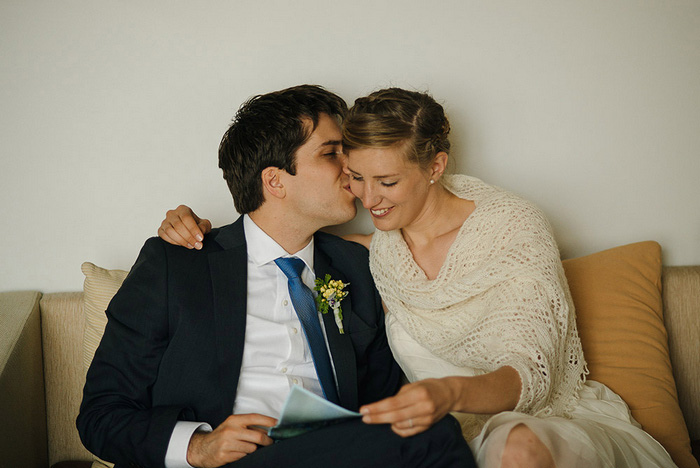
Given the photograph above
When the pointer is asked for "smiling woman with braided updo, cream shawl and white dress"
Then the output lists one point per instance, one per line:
(478, 311)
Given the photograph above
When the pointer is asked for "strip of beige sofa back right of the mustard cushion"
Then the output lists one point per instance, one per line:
(681, 296)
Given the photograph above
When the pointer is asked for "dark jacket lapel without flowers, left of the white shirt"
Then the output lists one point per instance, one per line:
(229, 274)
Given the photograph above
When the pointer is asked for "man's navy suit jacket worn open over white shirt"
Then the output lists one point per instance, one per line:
(173, 345)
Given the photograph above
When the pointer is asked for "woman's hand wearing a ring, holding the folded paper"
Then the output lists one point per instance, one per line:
(415, 408)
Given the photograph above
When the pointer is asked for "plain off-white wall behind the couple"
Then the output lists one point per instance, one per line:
(111, 112)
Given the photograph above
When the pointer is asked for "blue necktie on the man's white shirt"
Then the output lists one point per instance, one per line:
(305, 307)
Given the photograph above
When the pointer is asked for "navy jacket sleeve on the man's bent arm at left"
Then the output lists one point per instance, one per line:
(117, 421)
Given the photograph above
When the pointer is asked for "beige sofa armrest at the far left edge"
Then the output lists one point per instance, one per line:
(23, 431)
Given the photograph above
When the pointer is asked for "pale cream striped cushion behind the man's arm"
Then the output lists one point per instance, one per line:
(99, 287)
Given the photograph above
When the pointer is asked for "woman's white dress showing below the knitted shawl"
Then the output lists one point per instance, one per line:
(600, 433)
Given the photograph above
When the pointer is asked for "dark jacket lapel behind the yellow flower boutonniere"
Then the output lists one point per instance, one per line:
(342, 351)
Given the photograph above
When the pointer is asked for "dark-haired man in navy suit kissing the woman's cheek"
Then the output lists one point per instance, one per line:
(202, 347)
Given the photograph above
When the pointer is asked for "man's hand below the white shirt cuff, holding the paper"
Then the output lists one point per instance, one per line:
(231, 441)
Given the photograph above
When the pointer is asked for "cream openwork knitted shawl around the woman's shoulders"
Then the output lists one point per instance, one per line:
(500, 298)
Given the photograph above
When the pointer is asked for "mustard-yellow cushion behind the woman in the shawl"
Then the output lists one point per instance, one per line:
(617, 294)
